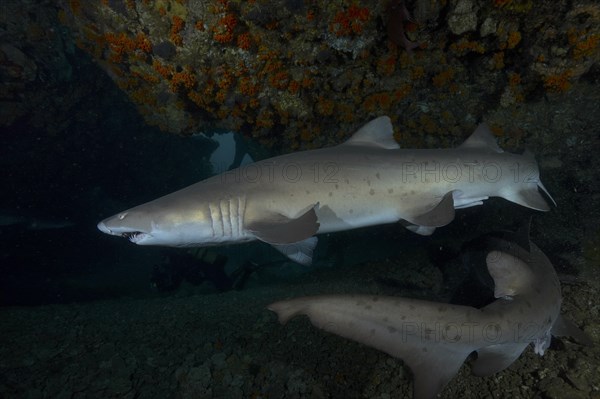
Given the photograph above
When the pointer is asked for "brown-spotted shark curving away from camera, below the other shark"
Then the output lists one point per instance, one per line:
(434, 339)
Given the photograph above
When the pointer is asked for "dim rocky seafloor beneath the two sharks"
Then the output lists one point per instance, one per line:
(230, 346)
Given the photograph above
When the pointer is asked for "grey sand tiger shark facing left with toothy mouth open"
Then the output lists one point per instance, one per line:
(368, 180)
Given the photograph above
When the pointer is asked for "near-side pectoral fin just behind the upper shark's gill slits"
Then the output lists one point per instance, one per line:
(277, 229)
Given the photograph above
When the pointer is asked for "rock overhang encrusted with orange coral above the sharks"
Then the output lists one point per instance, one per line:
(299, 73)
